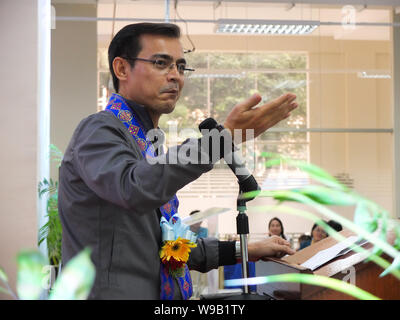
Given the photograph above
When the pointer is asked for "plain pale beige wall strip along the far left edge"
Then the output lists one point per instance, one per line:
(18, 130)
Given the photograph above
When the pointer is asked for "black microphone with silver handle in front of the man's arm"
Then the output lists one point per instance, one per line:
(246, 180)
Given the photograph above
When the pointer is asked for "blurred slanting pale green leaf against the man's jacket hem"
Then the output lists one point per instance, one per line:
(76, 279)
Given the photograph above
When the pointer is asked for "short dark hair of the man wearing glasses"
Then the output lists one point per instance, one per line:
(126, 43)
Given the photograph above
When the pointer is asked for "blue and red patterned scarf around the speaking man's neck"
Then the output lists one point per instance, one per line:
(118, 106)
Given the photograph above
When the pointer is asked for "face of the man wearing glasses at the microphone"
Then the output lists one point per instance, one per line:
(157, 89)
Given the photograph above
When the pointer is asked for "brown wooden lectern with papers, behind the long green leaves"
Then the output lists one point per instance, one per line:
(366, 275)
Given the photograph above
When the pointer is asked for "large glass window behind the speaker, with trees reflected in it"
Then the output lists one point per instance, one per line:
(341, 73)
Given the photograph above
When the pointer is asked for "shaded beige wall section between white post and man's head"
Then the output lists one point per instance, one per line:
(73, 73)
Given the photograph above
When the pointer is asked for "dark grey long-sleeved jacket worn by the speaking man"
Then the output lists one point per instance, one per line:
(109, 197)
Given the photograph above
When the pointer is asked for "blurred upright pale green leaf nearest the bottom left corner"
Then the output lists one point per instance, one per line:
(30, 275)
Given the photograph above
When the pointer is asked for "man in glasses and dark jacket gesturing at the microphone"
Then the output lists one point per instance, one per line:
(124, 207)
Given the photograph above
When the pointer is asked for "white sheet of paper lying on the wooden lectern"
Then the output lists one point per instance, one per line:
(326, 255)
